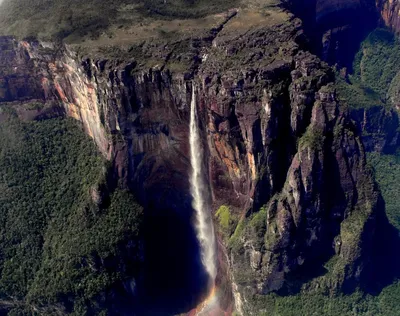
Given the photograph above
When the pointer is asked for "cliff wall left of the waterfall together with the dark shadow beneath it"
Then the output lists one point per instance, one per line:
(139, 123)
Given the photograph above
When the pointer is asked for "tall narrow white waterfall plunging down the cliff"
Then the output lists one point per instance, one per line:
(200, 193)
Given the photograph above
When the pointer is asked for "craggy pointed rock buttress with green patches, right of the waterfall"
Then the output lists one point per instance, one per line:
(324, 210)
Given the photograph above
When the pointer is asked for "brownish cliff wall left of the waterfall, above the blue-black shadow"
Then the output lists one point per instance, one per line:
(110, 102)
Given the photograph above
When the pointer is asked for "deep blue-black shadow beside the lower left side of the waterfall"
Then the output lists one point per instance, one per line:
(174, 279)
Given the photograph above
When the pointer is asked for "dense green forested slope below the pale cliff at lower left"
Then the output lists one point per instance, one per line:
(61, 239)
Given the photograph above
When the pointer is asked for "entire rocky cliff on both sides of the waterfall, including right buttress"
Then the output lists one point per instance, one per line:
(282, 151)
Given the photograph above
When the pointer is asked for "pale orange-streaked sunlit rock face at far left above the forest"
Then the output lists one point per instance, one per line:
(30, 71)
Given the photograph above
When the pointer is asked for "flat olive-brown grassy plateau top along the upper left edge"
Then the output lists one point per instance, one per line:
(100, 22)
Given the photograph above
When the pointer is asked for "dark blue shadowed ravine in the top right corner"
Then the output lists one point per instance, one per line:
(335, 28)
